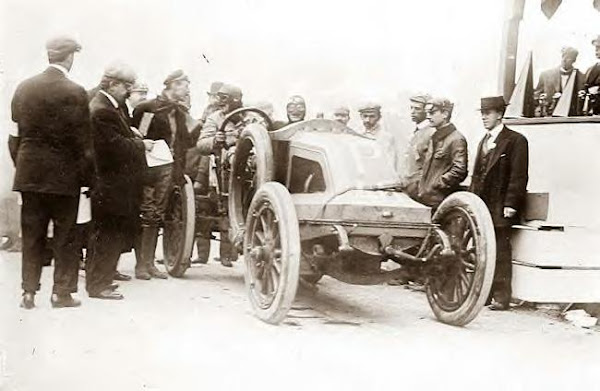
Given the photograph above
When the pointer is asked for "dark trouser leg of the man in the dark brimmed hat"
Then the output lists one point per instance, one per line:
(502, 289)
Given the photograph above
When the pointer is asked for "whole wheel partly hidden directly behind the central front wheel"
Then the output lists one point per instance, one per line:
(252, 167)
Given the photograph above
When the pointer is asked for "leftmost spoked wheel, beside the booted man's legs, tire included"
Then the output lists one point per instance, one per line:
(178, 231)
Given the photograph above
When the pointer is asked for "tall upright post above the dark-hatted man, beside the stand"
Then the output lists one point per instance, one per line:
(510, 42)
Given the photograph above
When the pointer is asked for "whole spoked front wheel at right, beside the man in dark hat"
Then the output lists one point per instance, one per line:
(464, 259)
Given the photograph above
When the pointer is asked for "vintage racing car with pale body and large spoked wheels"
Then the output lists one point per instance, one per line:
(316, 198)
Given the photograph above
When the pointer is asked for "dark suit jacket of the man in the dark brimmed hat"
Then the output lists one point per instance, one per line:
(503, 180)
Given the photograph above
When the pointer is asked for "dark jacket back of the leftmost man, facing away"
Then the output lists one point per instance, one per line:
(55, 153)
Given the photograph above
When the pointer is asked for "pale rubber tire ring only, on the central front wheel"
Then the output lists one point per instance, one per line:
(279, 197)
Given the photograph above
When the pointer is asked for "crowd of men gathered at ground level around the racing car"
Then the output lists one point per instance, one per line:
(71, 139)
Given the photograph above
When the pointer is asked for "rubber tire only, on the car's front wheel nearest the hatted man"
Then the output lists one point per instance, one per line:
(486, 259)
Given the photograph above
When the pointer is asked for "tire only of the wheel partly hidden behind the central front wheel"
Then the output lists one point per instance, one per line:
(253, 135)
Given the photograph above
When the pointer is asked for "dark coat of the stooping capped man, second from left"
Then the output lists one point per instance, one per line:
(120, 161)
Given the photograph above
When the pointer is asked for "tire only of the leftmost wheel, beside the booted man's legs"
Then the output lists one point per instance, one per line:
(184, 254)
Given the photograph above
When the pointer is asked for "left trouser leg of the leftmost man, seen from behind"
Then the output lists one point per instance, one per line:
(35, 218)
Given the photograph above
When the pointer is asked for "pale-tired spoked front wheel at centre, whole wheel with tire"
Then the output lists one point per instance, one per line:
(272, 252)
